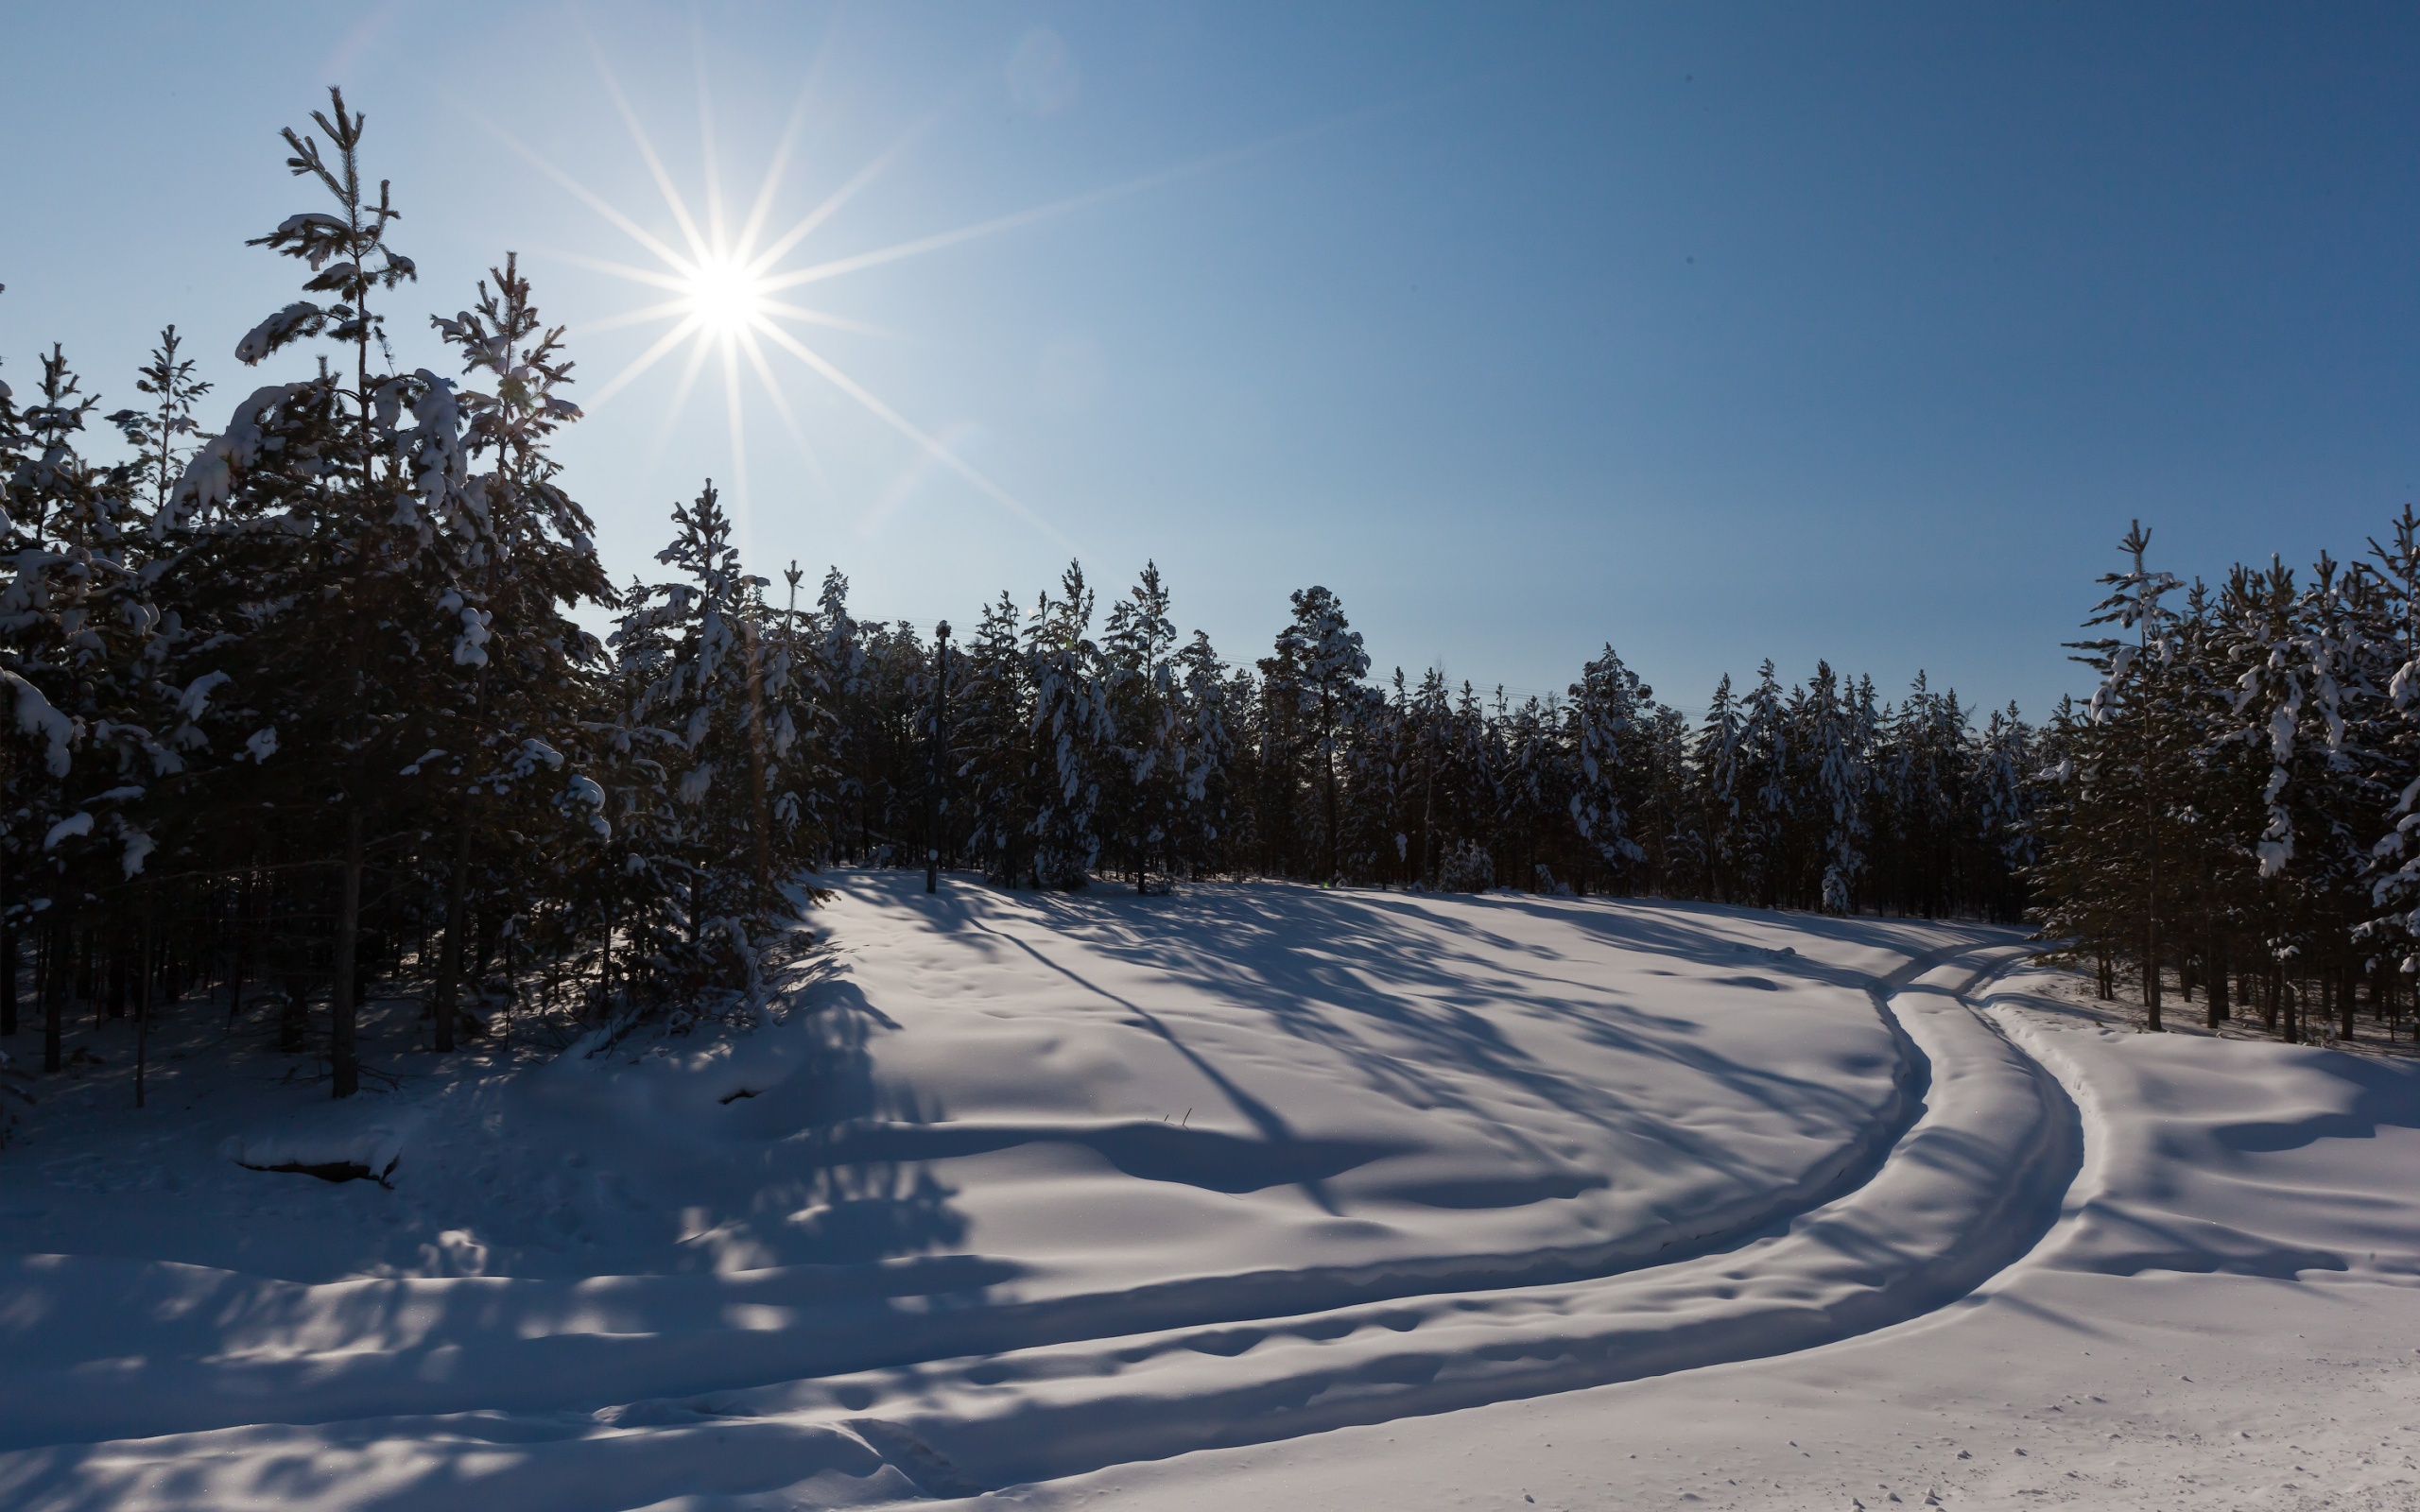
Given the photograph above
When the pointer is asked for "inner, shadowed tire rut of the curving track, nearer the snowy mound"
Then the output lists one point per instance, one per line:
(672, 1337)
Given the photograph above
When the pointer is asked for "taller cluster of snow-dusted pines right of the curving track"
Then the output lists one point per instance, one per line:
(2235, 809)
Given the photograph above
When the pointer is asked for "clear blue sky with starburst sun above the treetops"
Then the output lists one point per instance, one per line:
(1715, 333)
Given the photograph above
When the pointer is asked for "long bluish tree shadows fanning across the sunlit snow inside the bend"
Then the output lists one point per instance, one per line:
(1361, 976)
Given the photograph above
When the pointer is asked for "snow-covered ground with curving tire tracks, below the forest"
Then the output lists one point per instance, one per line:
(1250, 1196)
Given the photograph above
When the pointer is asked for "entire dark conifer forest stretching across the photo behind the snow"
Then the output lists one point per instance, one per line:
(301, 703)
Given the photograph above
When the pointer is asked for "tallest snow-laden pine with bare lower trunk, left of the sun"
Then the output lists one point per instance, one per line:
(328, 553)
